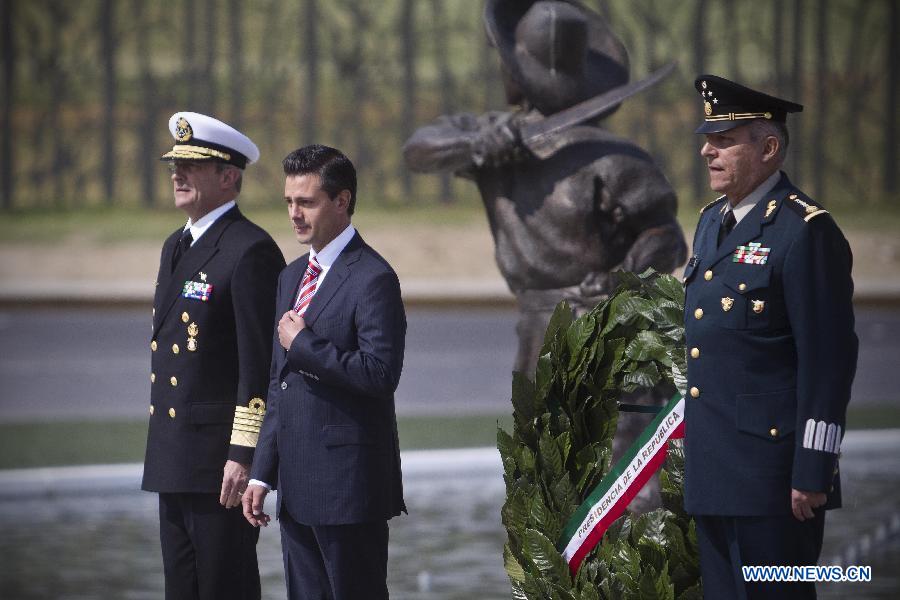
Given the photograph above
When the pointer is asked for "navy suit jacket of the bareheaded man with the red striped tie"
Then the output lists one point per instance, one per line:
(329, 438)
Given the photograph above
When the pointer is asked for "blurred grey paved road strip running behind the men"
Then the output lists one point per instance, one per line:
(94, 364)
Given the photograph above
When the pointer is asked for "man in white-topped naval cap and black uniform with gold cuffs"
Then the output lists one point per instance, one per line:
(210, 350)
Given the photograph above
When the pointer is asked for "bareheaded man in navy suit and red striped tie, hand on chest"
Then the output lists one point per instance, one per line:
(329, 439)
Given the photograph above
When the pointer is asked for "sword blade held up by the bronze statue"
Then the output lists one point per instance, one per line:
(542, 137)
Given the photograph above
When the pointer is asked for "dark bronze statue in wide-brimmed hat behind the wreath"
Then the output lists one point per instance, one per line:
(565, 218)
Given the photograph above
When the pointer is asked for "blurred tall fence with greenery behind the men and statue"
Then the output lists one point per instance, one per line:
(85, 105)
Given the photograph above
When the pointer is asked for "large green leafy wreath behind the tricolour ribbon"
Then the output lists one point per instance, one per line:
(560, 449)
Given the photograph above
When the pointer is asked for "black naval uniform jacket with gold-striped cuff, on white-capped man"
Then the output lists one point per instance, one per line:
(197, 385)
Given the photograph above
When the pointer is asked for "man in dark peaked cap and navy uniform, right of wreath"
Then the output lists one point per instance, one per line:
(771, 353)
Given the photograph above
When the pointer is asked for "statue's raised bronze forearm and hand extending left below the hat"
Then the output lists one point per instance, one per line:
(462, 142)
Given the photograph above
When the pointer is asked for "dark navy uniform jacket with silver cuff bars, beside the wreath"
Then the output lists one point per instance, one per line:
(771, 356)
